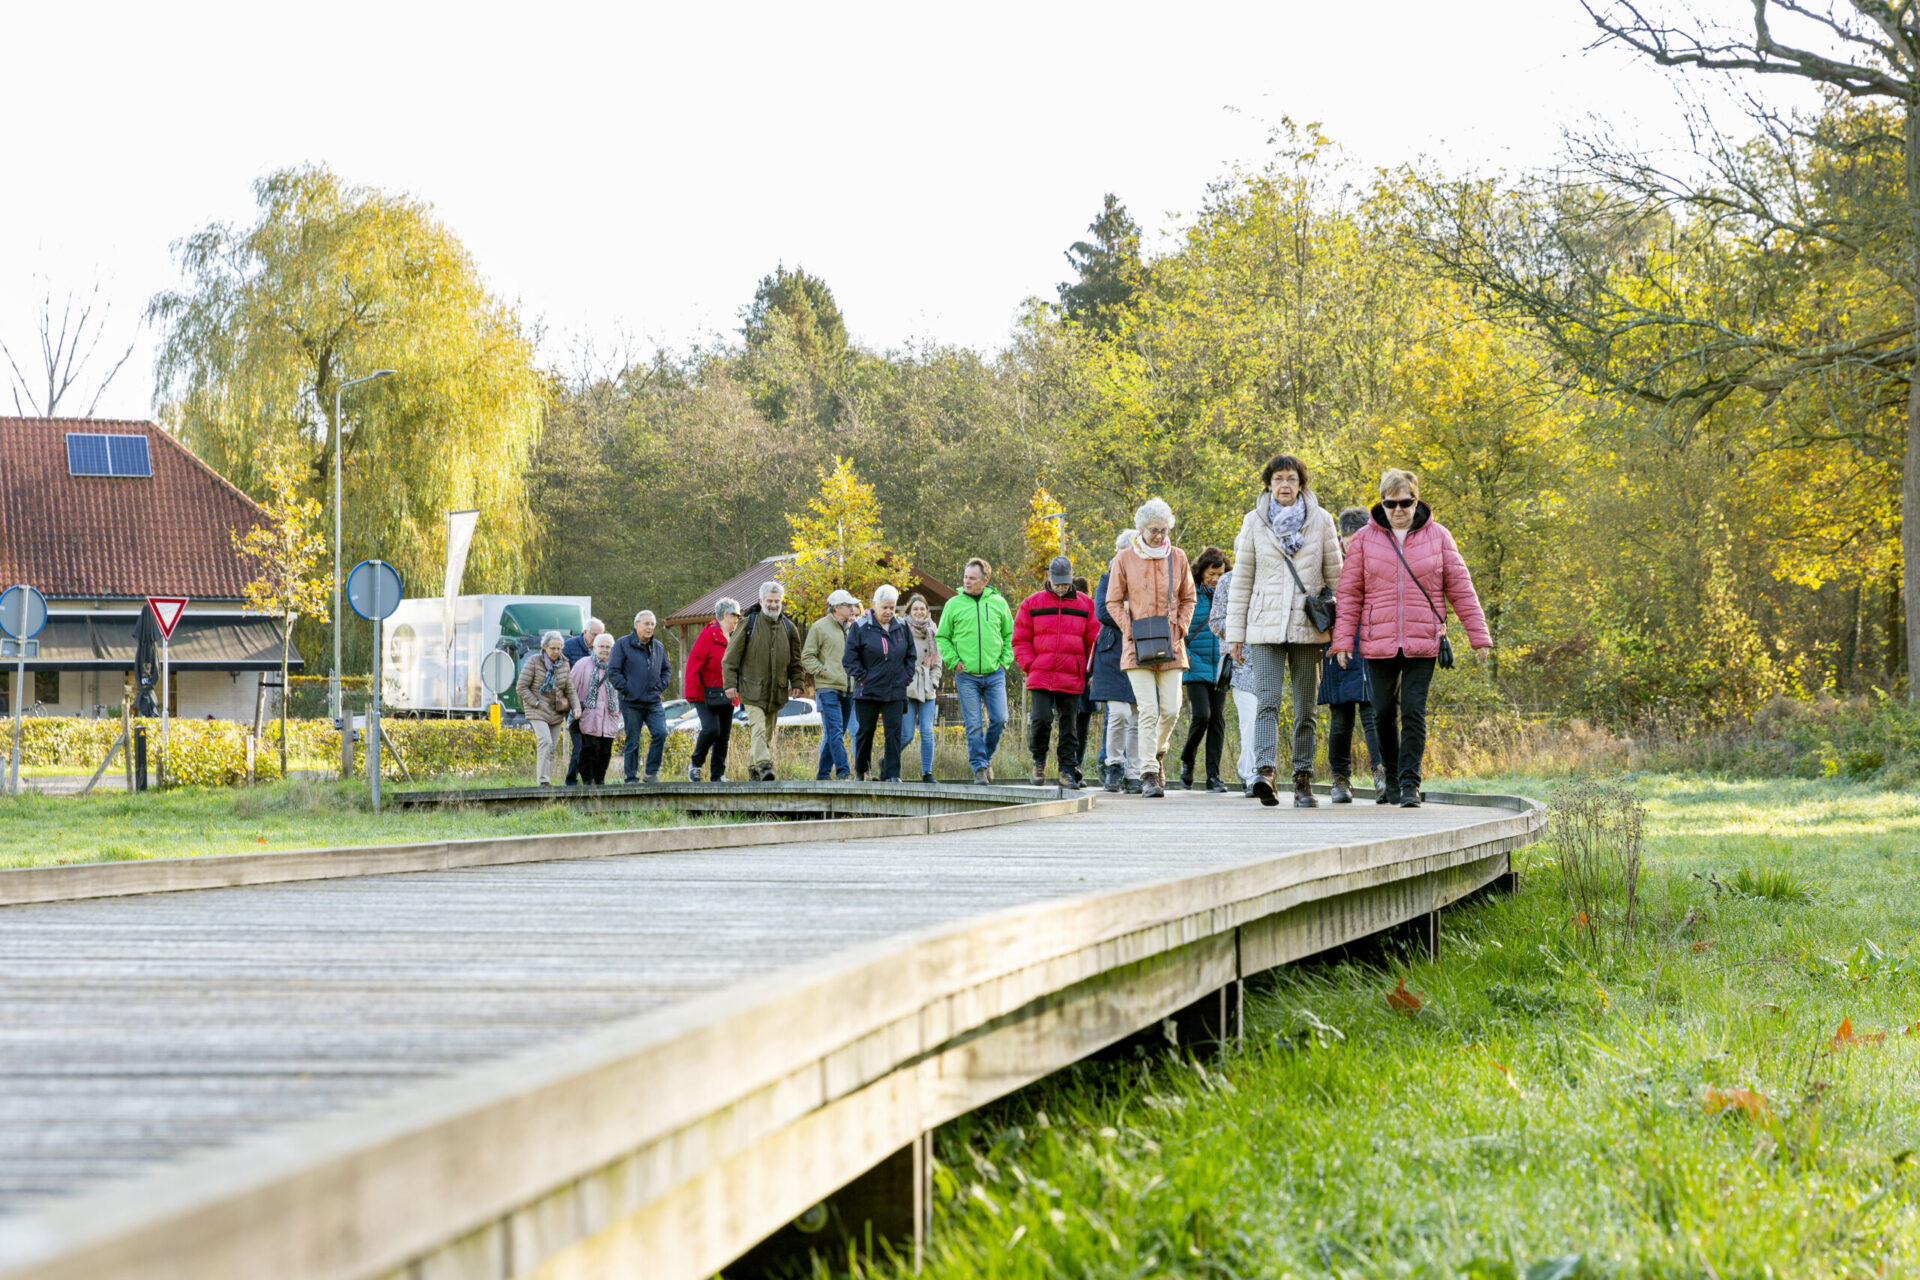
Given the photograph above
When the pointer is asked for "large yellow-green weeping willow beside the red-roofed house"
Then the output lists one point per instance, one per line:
(327, 285)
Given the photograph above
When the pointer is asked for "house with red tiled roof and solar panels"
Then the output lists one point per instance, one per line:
(103, 515)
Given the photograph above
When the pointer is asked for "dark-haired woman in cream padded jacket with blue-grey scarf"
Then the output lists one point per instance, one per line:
(1285, 565)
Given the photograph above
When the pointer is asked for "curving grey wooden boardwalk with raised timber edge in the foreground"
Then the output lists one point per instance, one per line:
(635, 1064)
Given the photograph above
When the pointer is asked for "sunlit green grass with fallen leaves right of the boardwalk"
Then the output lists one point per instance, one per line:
(1673, 1104)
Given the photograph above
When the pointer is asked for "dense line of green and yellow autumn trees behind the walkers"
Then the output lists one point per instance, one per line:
(1668, 433)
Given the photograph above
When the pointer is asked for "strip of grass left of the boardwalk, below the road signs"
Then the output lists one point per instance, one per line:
(39, 832)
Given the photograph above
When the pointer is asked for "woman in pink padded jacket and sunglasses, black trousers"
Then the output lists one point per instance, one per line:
(1401, 575)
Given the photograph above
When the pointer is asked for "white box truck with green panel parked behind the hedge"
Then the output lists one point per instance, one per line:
(427, 673)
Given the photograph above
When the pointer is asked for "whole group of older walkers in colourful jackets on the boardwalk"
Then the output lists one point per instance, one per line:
(1308, 611)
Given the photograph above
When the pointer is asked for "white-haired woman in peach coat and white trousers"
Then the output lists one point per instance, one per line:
(1151, 596)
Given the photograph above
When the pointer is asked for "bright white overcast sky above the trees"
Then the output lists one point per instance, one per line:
(633, 170)
